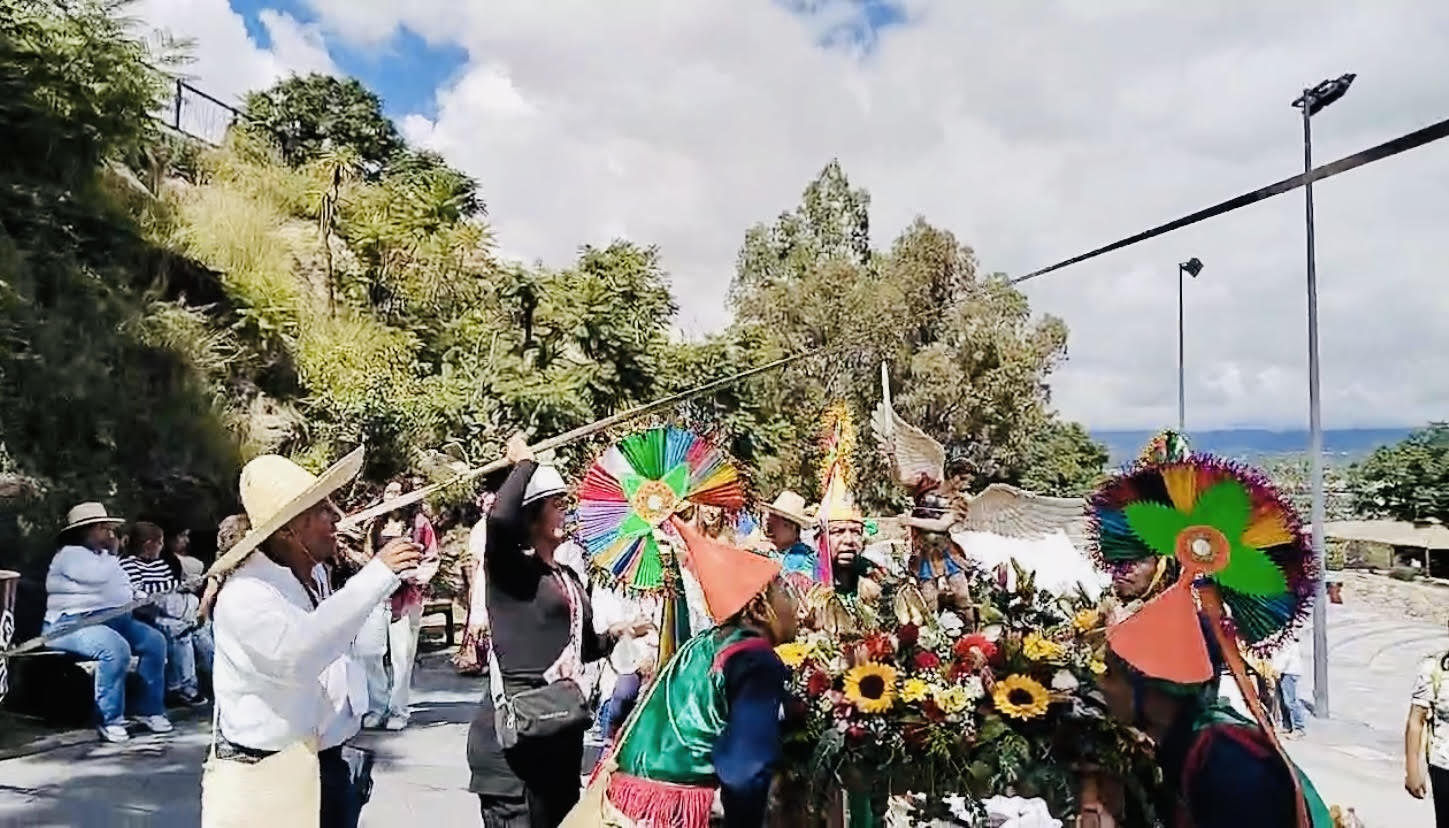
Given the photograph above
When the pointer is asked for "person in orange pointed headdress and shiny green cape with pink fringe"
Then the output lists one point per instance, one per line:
(712, 719)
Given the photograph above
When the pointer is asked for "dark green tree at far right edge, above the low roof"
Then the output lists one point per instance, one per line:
(1408, 481)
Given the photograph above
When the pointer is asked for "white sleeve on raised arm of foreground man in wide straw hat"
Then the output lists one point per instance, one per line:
(302, 645)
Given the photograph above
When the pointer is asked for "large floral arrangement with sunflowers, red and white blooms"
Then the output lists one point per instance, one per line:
(948, 711)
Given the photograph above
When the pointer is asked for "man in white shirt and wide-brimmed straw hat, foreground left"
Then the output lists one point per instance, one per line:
(289, 694)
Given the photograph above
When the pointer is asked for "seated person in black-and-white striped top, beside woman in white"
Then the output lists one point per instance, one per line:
(175, 614)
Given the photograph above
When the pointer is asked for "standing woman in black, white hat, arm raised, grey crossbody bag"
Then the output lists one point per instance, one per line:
(527, 766)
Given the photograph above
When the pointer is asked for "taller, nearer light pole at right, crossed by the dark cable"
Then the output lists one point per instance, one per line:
(1312, 102)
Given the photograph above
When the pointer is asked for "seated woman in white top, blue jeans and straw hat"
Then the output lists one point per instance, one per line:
(86, 578)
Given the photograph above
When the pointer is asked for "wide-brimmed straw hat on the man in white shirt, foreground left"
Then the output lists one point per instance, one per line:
(275, 491)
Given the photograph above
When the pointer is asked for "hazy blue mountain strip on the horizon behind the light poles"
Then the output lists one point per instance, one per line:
(1253, 444)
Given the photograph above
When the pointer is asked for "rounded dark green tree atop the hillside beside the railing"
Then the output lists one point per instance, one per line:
(315, 114)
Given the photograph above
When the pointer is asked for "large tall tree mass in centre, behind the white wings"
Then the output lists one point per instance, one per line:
(969, 362)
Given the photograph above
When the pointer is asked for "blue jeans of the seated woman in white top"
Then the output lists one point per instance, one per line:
(111, 646)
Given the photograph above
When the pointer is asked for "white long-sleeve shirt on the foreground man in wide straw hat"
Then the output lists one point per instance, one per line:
(285, 671)
